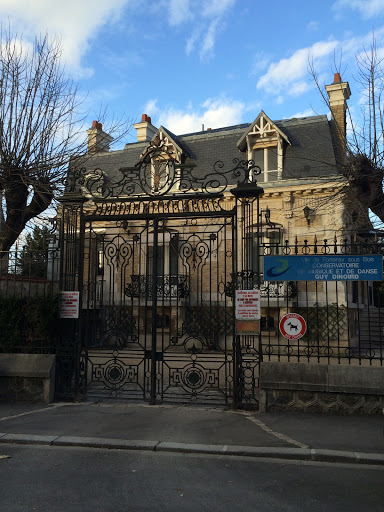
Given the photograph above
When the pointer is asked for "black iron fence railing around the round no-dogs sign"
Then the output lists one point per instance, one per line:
(344, 318)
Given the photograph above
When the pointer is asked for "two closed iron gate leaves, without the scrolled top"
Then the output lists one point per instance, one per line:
(157, 320)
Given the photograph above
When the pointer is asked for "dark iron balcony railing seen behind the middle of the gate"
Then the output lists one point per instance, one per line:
(167, 287)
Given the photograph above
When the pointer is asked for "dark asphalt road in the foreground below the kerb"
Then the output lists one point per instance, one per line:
(48, 479)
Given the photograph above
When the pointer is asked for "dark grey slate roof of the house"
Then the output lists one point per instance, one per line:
(309, 154)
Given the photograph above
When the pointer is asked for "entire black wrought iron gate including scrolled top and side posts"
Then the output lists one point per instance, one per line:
(155, 274)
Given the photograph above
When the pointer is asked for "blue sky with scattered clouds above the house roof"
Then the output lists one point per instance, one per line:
(214, 62)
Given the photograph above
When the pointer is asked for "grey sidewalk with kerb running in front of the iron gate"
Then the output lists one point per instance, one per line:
(196, 430)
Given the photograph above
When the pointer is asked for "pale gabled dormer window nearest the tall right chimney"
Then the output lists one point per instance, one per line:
(264, 144)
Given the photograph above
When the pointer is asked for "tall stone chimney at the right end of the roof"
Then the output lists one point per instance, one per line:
(338, 93)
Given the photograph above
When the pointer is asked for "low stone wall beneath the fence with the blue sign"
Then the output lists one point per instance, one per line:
(319, 388)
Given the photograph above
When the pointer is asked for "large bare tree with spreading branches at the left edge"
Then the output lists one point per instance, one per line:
(40, 130)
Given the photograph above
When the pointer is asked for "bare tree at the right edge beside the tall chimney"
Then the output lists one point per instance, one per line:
(362, 164)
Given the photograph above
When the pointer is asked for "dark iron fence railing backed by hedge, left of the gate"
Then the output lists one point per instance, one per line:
(29, 301)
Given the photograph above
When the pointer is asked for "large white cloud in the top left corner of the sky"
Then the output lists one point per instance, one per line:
(75, 22)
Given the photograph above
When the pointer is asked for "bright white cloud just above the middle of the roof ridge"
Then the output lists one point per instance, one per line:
(213, 113)
